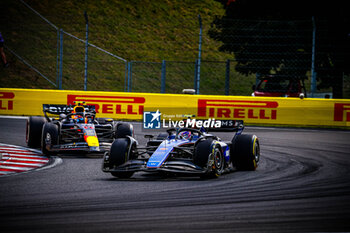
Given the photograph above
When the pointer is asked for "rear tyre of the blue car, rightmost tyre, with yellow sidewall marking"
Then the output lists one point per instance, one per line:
(245, 152)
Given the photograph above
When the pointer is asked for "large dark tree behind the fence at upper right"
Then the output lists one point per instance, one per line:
(280, 19)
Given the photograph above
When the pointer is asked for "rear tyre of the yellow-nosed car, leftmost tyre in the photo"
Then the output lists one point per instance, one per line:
(34, 130)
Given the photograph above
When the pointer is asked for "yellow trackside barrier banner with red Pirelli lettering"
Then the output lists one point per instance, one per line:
(133, 106)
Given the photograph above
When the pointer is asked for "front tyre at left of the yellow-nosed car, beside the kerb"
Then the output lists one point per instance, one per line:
(49, 137)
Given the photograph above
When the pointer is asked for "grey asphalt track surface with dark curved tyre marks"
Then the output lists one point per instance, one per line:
(302, 185)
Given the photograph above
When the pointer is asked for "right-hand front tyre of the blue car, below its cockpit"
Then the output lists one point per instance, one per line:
(202, 151)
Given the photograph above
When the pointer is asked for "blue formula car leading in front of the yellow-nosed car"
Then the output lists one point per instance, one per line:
(184, 151)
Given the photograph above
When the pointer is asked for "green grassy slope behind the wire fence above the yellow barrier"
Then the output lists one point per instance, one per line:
(149, 31)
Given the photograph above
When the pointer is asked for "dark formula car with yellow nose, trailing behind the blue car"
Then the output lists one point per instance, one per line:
(74, 129)
